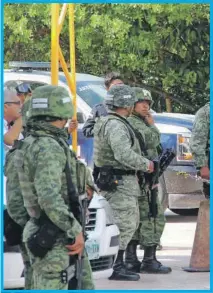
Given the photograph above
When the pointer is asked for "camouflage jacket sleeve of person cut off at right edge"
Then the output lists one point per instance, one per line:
(200, 139)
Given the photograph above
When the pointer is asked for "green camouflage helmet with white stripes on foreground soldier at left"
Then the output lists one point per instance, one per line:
(53, 101)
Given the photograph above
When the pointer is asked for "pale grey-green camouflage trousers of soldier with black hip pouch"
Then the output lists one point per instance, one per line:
(124, 205)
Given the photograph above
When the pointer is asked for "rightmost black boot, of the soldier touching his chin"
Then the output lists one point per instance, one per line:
(150, 265)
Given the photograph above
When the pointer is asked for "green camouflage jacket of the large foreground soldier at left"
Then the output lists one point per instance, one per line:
(44, 162)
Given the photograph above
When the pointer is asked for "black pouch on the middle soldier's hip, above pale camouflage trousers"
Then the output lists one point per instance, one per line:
(106, 180)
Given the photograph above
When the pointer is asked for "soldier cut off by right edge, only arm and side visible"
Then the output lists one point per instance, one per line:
(200, 144)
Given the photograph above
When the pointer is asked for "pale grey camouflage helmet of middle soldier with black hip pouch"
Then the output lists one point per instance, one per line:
(121, 96)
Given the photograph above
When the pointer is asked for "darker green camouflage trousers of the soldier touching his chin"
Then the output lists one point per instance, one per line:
(146, 234)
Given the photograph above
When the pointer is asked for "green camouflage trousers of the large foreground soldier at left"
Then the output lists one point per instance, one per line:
(46, 271)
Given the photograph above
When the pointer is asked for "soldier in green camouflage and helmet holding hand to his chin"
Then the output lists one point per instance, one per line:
(142, 121)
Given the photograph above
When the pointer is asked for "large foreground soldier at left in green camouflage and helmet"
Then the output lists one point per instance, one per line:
(41, 168)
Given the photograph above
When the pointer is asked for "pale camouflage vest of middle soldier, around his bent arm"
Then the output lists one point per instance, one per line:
(103, 154)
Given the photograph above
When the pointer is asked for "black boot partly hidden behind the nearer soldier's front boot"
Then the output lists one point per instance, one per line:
(131, 260)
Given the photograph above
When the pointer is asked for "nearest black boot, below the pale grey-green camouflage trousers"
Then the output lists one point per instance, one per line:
(120, 272)
